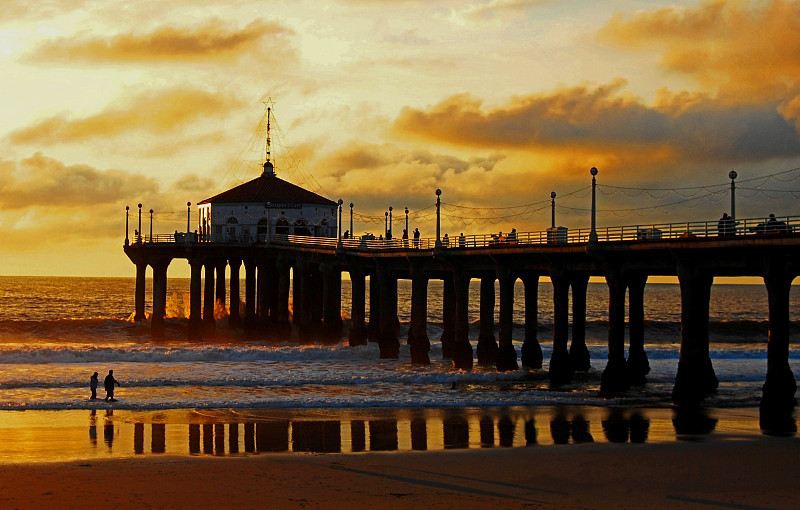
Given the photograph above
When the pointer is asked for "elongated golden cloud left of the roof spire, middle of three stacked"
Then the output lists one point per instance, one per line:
(159, 112)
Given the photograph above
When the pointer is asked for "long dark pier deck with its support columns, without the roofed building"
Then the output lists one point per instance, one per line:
(625, 257)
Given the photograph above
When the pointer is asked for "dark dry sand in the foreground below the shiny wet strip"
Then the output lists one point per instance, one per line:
(750, 473)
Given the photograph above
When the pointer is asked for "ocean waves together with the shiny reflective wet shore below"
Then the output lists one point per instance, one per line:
(234, 395)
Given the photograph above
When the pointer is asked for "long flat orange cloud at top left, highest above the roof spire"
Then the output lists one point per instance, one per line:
(211, 41)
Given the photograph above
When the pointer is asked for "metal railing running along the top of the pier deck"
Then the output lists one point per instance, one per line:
(554, 236)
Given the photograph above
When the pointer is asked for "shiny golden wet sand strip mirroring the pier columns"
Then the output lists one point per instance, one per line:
(240, 433)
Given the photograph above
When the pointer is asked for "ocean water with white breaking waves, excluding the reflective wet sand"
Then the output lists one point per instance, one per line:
(55, 332)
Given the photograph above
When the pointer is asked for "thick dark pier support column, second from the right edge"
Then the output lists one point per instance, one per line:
(695, 378)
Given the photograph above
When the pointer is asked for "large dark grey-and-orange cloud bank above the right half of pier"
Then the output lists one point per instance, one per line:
(603, 118)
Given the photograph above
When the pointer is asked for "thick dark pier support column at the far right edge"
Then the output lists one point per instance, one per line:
(778, 400)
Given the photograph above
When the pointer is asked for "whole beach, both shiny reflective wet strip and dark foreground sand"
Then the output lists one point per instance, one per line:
(572, 457)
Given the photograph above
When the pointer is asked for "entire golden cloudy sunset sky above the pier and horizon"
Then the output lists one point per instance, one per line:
(497, 102)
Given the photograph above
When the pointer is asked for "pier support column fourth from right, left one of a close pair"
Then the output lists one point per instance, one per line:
(615, 376)
